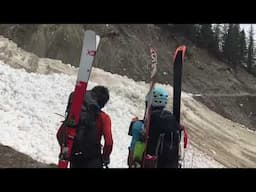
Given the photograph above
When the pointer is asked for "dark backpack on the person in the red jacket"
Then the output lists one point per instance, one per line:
(85, 142)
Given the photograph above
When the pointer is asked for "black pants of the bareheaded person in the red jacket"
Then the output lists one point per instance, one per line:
(78, 161)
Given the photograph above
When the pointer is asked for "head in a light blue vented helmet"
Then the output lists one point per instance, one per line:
(159, 97)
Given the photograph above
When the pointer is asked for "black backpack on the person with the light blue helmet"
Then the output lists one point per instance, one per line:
(165, 133)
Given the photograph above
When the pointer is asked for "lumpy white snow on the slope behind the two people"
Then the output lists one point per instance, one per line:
(29, 101)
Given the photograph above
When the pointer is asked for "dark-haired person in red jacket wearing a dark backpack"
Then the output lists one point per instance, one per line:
(87, 151)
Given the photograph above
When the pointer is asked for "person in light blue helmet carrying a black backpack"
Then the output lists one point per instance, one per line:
(164, 134)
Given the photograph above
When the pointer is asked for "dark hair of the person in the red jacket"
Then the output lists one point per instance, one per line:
(101, 94)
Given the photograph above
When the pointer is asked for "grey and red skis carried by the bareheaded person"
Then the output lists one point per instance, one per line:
(69, 125)
